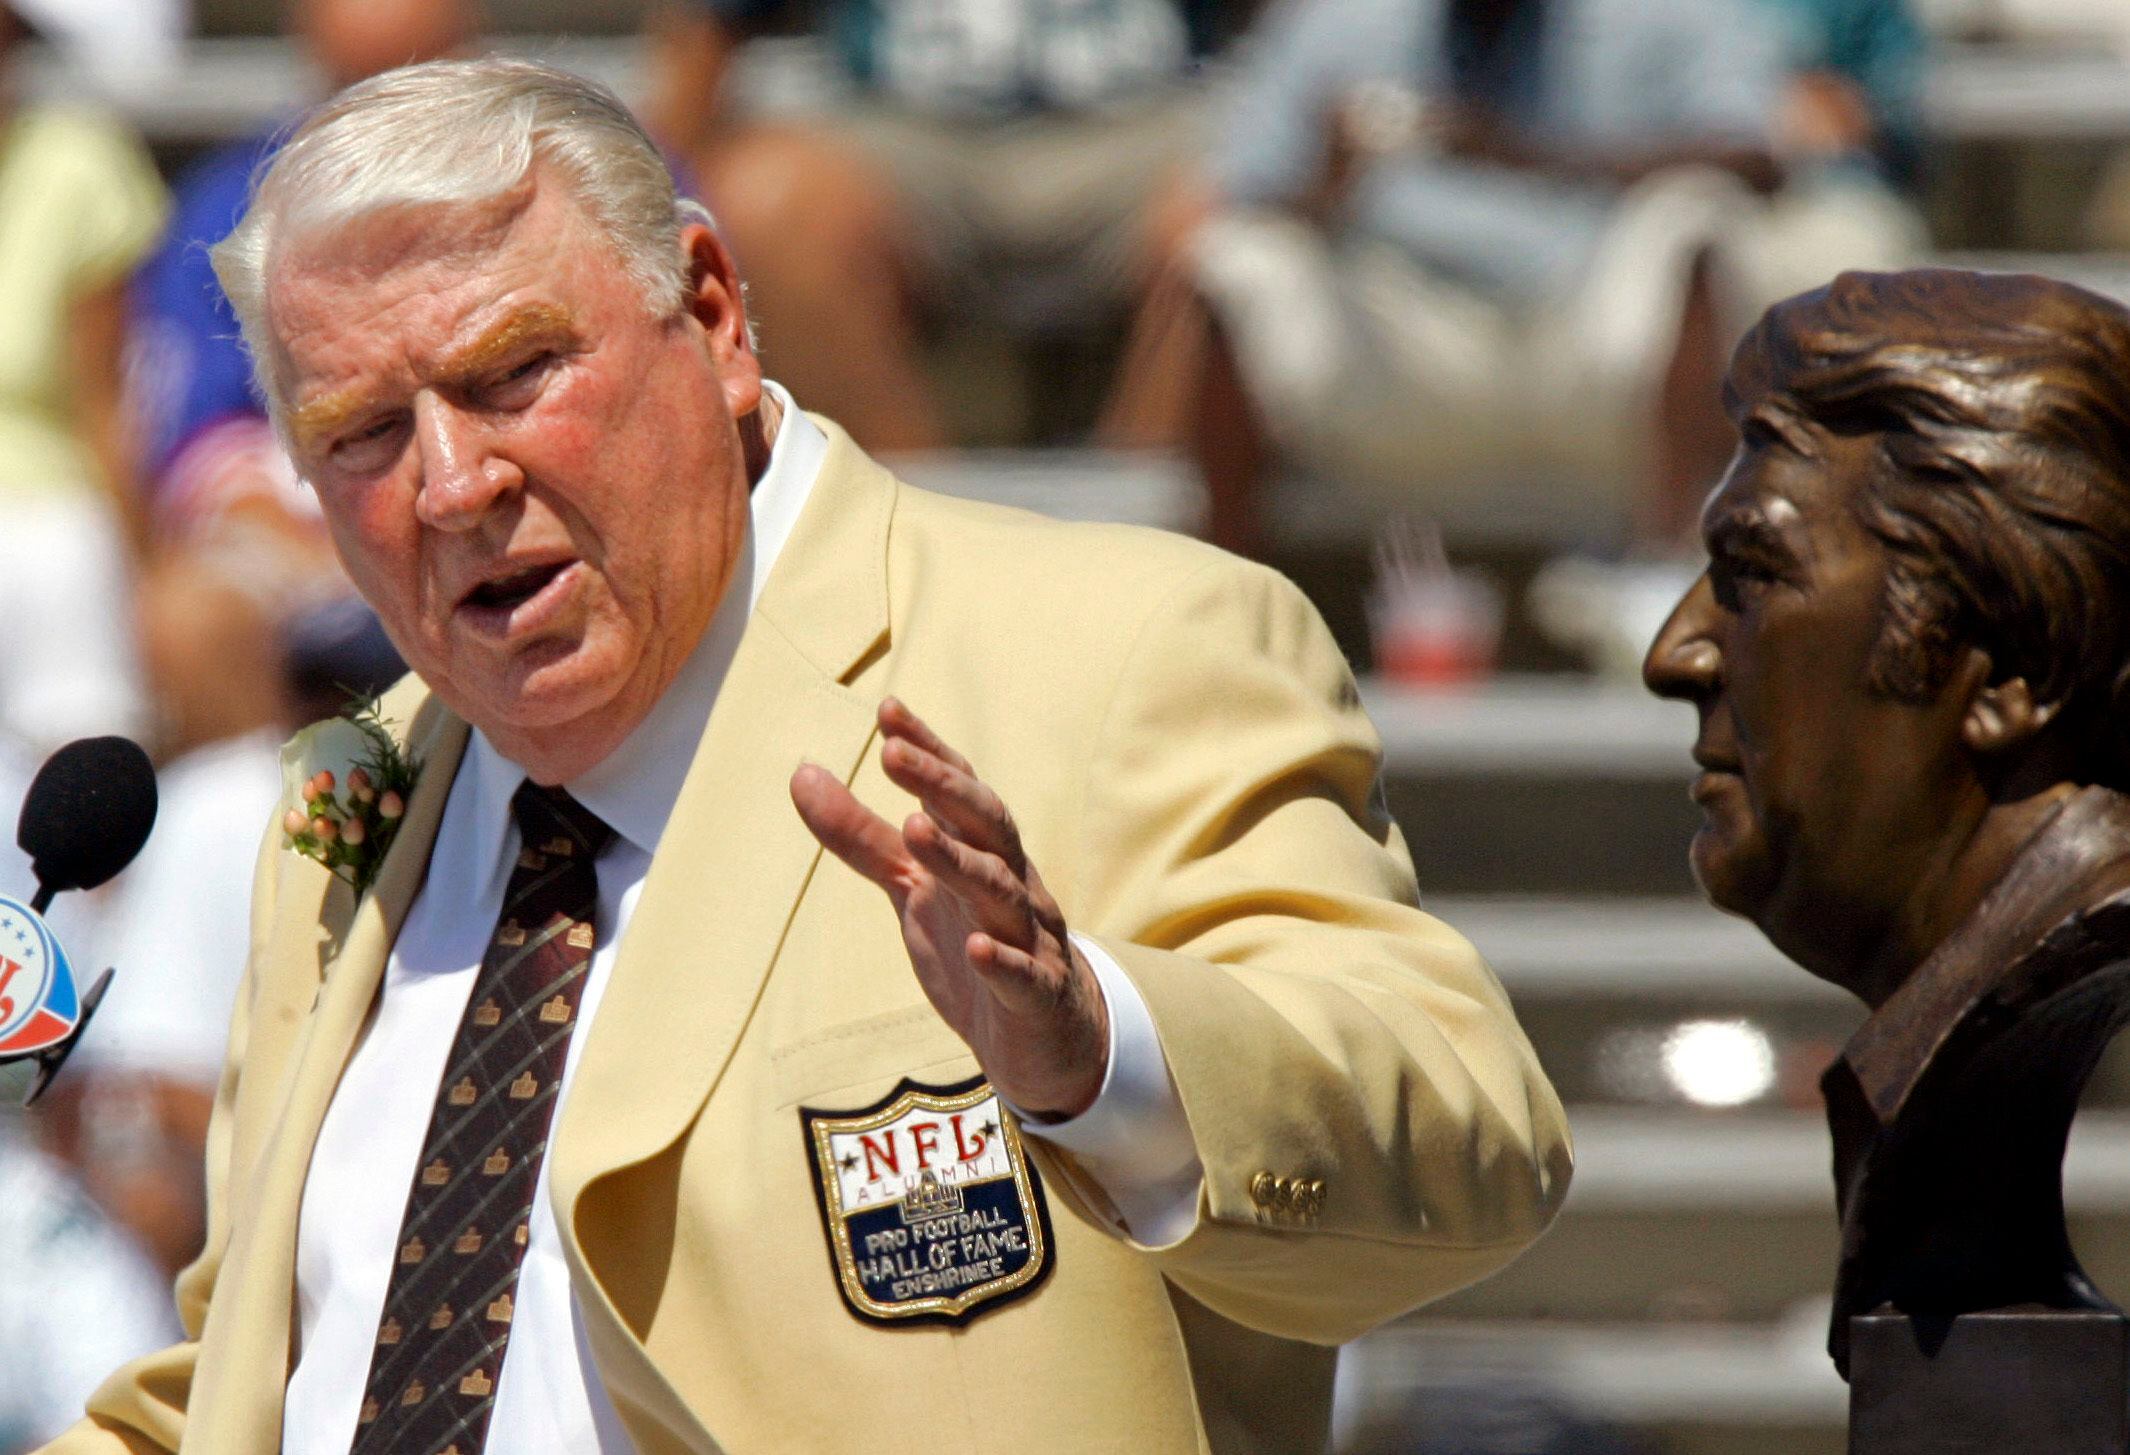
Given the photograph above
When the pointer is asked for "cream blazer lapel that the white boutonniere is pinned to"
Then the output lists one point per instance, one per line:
(250, 1326)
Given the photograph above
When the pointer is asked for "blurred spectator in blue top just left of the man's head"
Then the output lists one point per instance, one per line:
(242, 542)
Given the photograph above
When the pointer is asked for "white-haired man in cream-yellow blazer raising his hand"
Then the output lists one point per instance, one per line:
(828, 1168)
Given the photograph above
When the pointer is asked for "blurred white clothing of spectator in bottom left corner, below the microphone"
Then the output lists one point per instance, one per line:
(76, 1303)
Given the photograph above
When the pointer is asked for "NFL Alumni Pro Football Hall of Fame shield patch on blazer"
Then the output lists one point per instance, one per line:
(932, 1207)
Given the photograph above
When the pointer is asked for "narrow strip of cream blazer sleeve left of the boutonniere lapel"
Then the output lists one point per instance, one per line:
(144, 1405)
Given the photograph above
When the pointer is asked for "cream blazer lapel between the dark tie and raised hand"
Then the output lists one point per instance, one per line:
(725, 883)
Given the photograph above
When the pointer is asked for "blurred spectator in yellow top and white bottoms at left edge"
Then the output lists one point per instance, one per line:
(80, 203)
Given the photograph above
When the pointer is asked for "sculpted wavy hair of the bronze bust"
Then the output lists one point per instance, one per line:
(2001, 406)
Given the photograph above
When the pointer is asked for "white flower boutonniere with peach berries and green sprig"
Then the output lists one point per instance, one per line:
(346, 783)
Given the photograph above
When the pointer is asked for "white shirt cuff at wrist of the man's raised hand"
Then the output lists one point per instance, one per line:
(1134, 1137)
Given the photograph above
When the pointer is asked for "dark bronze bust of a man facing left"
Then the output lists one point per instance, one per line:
(1912, 661)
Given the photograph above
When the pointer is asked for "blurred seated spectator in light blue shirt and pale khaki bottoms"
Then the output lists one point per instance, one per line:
(1490, 240)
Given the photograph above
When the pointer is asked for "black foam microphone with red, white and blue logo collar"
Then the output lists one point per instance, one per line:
(88, 813)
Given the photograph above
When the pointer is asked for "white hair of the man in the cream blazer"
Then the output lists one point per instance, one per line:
(457, 131)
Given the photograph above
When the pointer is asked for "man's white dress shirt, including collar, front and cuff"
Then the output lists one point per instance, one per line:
(551, 1399)
